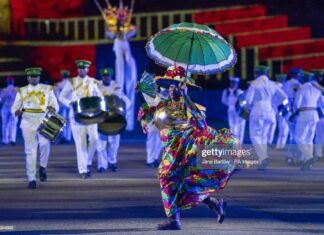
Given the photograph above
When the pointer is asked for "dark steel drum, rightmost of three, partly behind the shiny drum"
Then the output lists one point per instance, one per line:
(115, 121)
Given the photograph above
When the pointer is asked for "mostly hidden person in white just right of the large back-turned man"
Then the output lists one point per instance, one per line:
(282, 121)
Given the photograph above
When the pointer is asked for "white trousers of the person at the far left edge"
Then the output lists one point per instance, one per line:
(9, 125)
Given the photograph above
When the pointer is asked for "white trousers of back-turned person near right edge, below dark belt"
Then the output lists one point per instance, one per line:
(305, 132)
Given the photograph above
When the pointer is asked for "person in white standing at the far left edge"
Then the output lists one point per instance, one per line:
(9, 120)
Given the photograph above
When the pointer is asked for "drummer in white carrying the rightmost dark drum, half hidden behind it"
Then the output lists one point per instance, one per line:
(108, 156)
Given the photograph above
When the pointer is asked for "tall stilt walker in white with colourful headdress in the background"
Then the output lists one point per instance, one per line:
(120, 29)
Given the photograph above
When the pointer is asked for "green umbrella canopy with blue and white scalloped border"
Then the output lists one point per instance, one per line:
(196, 47)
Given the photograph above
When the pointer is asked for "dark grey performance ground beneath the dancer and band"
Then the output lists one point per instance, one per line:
(280, 200)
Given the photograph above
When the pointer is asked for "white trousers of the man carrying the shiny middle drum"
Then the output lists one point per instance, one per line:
(84, 150)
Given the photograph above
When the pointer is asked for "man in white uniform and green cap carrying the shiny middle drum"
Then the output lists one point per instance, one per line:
(77, 88)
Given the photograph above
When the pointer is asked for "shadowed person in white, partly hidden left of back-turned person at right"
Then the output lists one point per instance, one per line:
(290, 88)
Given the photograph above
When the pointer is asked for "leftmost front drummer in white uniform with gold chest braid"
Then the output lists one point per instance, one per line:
(31, 103)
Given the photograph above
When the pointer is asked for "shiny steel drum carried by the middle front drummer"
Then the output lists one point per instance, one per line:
(89, 110)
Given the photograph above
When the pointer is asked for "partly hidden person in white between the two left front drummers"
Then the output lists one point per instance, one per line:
(64, 110)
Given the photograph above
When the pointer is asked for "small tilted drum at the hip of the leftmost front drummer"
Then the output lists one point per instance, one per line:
(52, 125)
